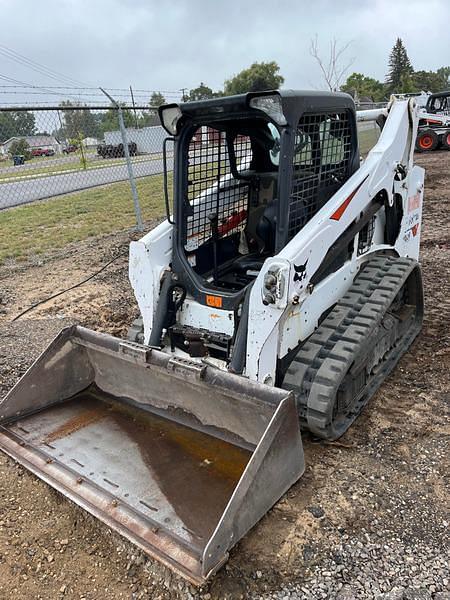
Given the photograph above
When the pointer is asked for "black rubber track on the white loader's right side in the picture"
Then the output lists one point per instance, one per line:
(353, 339)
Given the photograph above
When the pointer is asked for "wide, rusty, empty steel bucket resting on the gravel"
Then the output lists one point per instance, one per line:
(180, 458)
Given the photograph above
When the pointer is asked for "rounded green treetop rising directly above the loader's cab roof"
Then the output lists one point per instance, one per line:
(257, 78)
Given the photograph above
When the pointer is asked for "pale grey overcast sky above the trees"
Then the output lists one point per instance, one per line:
(167, 45)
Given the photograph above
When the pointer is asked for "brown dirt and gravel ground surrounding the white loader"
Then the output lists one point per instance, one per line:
(369, 519)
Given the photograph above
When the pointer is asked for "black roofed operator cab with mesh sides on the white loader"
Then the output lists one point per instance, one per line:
(250, 171)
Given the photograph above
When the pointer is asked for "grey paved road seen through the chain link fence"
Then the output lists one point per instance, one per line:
(14, 193)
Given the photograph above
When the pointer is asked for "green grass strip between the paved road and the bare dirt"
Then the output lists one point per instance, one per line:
(44, 226)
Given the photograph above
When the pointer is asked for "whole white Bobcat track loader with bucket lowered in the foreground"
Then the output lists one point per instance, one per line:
(278, 294)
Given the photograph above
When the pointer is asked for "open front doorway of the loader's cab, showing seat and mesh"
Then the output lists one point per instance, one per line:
(231, 196)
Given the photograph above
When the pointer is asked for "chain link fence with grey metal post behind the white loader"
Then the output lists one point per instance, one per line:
(98, 169)
